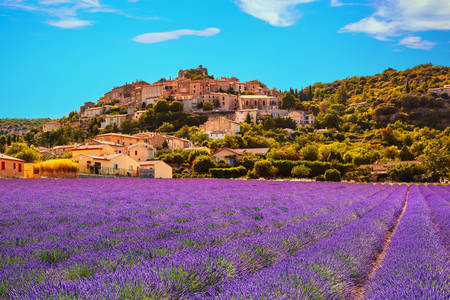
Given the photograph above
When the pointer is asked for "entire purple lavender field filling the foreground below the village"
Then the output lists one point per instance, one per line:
(222, 239)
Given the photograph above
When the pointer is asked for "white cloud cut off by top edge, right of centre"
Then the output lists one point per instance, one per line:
(281, 13)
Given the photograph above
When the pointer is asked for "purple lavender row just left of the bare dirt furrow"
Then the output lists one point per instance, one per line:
(330, 269)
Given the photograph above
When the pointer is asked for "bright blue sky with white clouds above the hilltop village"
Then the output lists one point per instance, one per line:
(57, 54)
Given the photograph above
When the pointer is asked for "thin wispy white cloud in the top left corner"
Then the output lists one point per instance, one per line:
(64, 13)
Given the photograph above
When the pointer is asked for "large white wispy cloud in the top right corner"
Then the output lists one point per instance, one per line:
(396, 18)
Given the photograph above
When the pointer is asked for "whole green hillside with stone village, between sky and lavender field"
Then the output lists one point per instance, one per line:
(392, 126)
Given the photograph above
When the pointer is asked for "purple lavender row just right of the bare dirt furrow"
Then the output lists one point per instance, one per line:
(416, 265)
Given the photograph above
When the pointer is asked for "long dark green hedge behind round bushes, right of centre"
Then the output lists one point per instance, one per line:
(317, 167)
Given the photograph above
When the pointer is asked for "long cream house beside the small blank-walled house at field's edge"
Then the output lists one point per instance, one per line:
(109, 164)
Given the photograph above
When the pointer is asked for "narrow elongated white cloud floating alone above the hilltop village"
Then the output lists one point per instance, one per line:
(157, 37)
